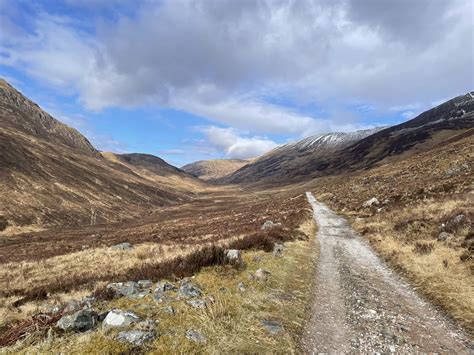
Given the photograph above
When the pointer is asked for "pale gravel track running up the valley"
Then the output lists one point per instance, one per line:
(361, 306)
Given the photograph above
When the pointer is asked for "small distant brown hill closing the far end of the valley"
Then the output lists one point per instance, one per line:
(214, 168)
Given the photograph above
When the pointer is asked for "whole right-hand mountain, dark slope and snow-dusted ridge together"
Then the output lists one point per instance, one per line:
(335, 153)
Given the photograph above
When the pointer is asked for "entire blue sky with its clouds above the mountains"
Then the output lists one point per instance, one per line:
(205, 79)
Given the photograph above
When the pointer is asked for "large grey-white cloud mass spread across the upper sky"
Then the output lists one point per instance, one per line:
(222, 59)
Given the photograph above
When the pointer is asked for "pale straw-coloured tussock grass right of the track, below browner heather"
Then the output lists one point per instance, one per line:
(407, 239)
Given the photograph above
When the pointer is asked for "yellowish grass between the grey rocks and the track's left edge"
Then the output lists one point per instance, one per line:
(232, 323)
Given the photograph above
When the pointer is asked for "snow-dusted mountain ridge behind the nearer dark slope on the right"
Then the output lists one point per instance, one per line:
(293, 160)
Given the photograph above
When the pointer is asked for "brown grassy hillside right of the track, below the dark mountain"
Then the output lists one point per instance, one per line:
(418, 194)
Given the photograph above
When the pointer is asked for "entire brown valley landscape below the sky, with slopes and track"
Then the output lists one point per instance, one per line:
(75, 220)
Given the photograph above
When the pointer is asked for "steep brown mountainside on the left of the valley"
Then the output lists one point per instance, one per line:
(51, 175)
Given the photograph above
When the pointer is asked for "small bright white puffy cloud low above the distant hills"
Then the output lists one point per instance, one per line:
(233, 145)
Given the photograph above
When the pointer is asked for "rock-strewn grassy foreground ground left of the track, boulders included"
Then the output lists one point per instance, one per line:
(254, 302)
